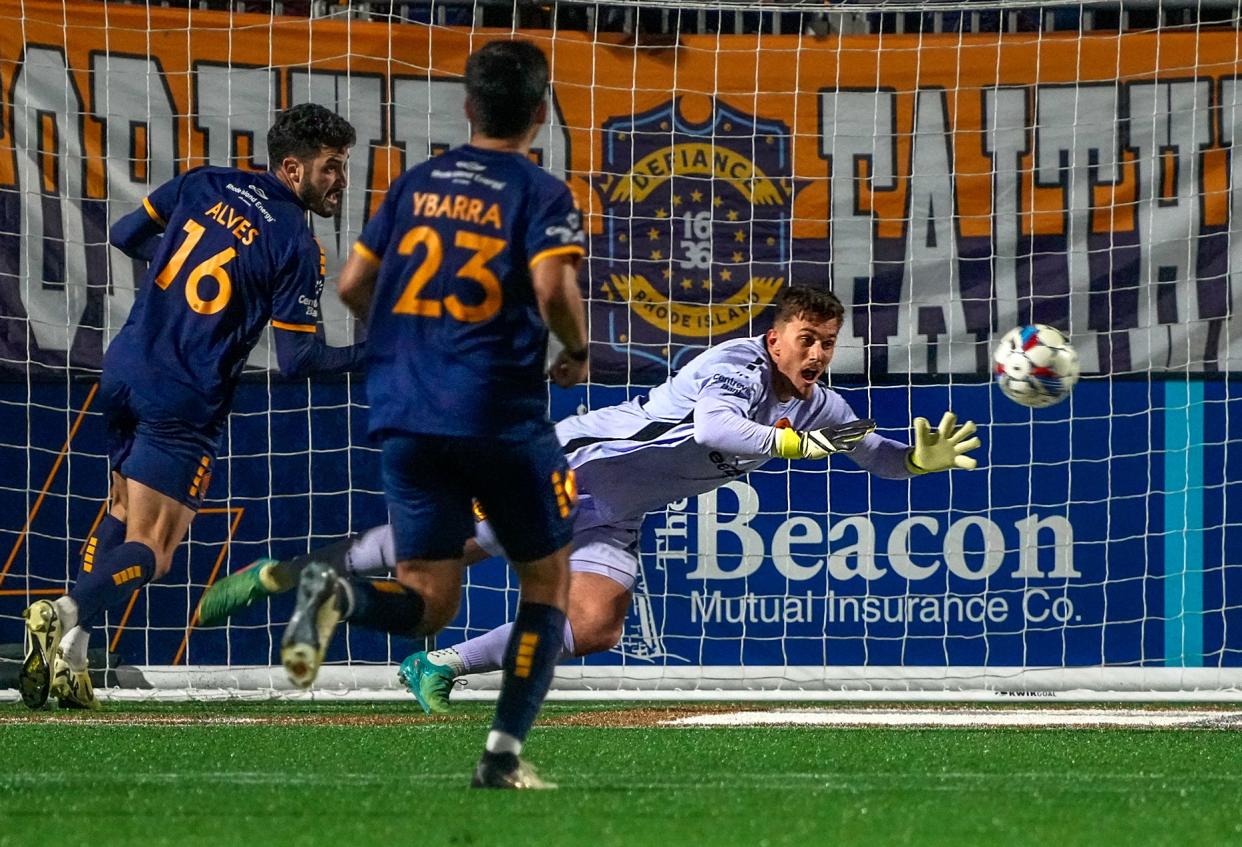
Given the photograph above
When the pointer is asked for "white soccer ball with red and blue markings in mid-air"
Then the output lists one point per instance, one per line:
(1035, 366)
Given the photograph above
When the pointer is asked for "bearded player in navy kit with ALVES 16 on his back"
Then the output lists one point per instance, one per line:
(230, 251)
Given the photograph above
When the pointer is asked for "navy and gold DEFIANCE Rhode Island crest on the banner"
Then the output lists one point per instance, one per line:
(697, 218)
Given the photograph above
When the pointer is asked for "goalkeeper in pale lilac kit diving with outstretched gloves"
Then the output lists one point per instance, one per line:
(731, 410)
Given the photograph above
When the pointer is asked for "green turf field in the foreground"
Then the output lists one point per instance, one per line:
(387, 776)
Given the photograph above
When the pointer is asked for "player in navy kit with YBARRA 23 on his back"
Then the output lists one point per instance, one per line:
(469, 261)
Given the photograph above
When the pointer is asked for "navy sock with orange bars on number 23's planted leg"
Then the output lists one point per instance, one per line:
(530, 663)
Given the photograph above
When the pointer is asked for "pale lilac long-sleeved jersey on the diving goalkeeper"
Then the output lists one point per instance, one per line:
(711, 423)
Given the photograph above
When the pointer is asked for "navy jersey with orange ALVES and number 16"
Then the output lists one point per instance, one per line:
(237, 253)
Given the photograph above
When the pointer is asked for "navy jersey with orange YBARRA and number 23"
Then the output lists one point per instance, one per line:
(456, 345)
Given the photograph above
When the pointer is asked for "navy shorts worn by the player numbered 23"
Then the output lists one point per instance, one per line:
(524, 485)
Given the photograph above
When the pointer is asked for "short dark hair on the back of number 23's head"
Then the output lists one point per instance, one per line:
(506, 81)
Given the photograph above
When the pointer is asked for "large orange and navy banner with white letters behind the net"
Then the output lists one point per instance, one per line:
(945, 188)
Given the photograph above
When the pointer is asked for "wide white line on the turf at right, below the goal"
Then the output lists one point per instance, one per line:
(967, 718)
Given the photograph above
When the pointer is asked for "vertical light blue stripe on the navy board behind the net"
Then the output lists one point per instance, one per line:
(1184, 523)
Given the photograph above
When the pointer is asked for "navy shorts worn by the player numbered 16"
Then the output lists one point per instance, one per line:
(147, 445)
